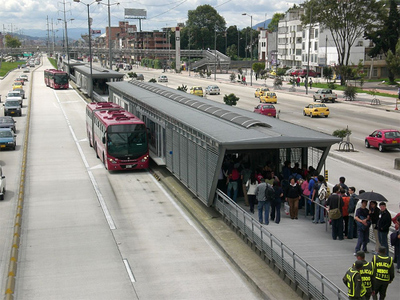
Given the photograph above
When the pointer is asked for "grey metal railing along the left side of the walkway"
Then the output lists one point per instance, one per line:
(312, 283)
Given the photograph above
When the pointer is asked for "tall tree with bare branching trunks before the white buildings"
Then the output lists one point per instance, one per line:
(346, 21)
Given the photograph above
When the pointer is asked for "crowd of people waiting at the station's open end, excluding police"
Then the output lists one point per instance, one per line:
(305, 187)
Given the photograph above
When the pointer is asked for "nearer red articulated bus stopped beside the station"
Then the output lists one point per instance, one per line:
(118, 137)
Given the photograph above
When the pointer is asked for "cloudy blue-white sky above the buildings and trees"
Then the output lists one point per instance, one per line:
(22, 15)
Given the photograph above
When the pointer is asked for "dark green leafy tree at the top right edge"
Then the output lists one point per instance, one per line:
(385, 34)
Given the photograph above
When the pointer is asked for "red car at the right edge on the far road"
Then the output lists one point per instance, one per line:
(383, 139)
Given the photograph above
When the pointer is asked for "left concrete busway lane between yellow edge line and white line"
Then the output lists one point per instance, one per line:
(67, 249)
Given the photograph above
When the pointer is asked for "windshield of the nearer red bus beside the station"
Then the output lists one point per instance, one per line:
(127, 141)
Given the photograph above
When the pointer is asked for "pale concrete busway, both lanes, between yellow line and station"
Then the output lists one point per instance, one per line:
(68, 248)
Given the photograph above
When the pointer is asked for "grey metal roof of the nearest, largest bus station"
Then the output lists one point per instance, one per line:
(230, 126)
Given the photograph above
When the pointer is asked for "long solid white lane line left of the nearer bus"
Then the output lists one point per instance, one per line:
(92, 179)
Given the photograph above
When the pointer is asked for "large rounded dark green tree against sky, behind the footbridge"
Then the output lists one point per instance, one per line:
(203, 22)
